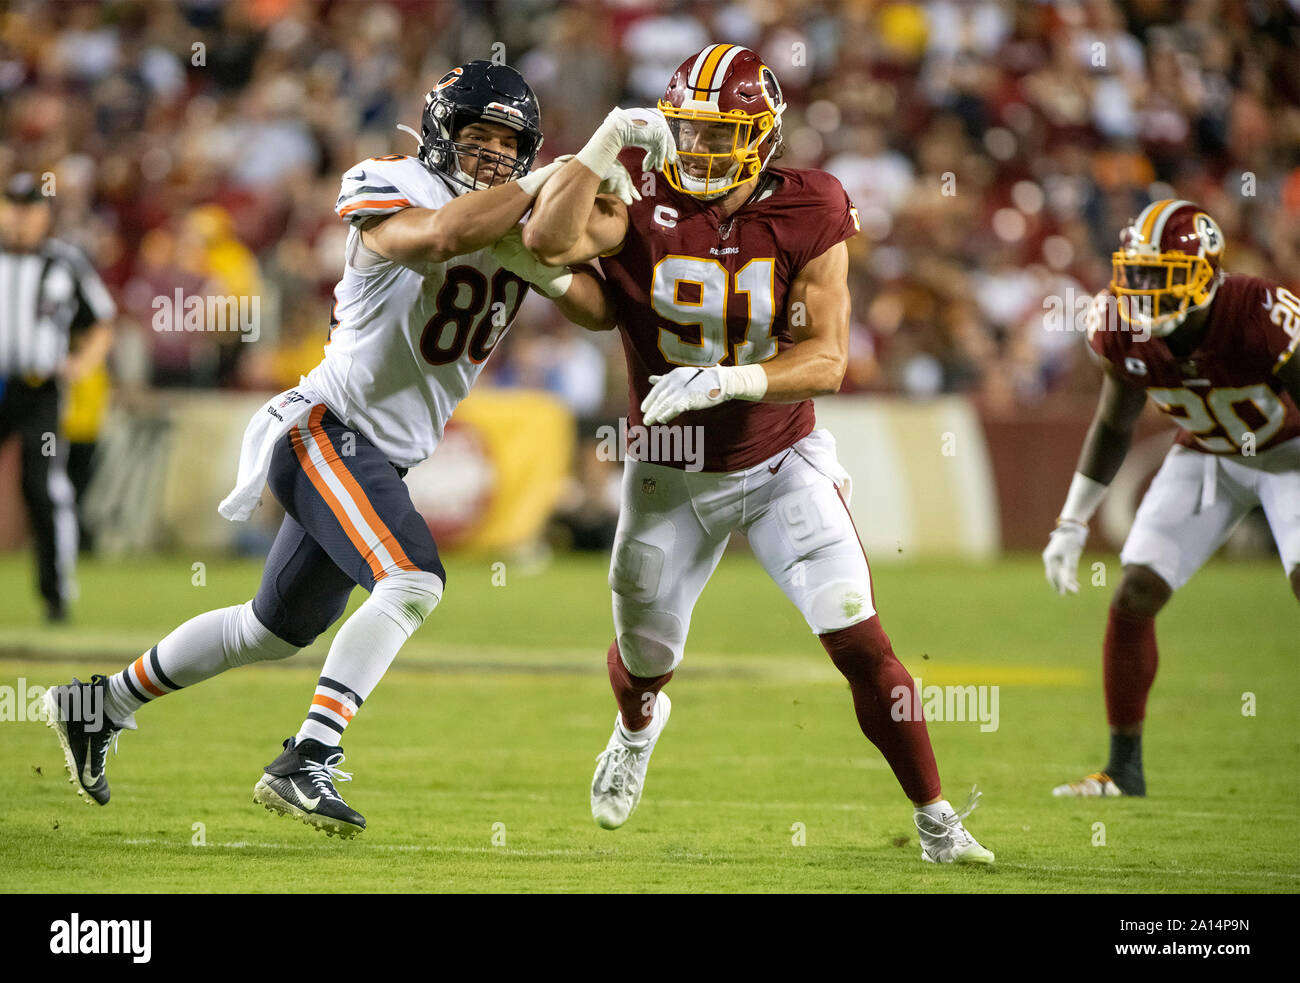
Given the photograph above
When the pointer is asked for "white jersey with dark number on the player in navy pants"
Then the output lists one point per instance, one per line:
(408, 341)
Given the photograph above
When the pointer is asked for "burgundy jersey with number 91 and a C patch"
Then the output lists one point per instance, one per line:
(695, 289)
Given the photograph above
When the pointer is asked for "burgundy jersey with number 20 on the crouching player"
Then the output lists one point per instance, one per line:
(1228, 387)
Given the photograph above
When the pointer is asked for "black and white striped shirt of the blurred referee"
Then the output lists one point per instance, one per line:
(46, 296)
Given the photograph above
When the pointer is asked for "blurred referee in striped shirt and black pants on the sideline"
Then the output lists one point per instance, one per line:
(55, 328)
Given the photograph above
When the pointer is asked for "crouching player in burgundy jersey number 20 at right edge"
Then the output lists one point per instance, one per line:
(1216, 352)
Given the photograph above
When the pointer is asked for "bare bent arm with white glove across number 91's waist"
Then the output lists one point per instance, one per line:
(813, 366)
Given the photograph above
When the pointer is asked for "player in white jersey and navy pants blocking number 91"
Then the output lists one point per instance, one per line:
(427, 295)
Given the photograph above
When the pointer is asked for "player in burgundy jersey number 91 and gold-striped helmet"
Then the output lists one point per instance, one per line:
(730, 285)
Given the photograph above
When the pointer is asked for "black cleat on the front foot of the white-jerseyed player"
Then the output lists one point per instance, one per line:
(301, 785)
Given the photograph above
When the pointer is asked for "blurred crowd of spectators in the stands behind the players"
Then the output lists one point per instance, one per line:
(994, 149)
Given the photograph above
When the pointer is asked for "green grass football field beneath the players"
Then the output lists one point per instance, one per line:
(473, 760)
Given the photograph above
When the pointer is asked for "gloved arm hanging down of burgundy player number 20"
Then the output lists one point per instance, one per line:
(1104, 451)
